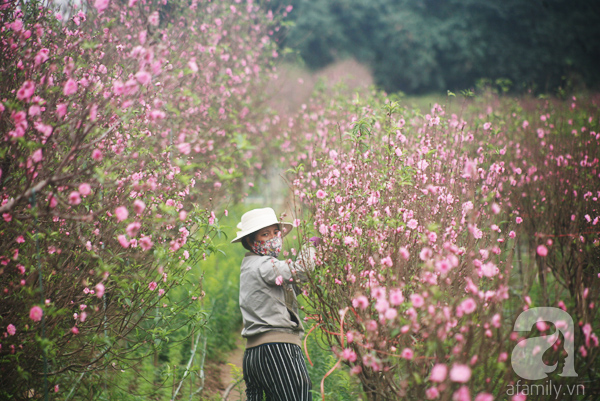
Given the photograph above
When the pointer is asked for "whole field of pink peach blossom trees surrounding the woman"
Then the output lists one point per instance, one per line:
(130, 128)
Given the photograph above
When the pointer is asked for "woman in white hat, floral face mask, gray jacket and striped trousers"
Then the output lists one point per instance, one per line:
(273, 361)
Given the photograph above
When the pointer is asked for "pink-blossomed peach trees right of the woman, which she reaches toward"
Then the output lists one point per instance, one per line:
(423, 219)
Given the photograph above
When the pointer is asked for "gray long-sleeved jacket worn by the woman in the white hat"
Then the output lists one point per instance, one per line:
(270, 310)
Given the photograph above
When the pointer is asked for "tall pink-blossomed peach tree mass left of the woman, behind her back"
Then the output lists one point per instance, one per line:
(123, 126)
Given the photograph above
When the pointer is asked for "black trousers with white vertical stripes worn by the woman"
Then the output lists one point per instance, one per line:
(278, 370)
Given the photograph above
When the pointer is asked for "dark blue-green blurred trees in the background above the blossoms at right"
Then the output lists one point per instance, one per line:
(419, 46)
